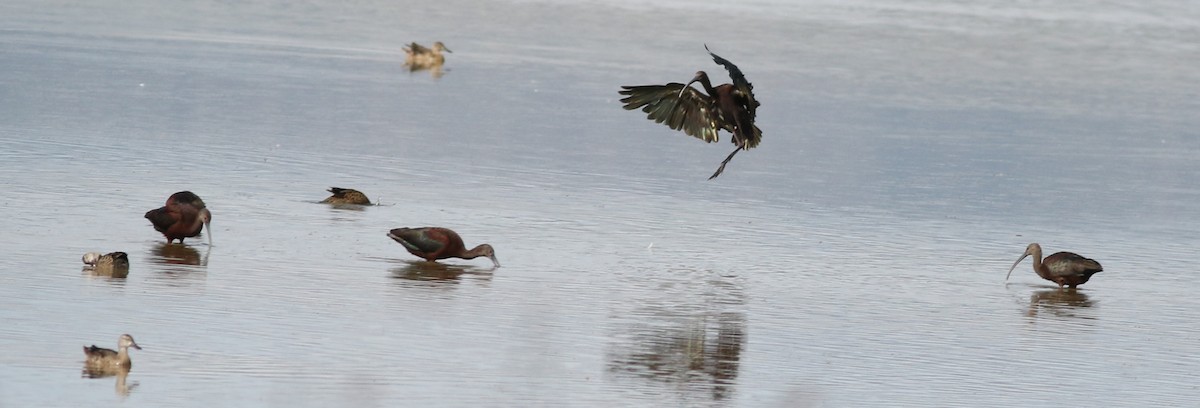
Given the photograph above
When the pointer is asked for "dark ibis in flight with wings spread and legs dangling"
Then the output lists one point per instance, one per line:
(730, 107)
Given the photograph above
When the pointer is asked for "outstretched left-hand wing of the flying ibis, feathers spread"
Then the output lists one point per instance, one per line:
(692, 112)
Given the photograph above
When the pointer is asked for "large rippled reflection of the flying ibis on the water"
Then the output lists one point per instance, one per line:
(698, 345)
